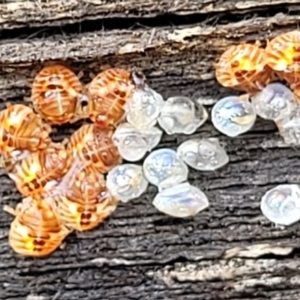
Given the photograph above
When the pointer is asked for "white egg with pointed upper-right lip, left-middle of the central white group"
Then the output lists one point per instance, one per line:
(134, 143)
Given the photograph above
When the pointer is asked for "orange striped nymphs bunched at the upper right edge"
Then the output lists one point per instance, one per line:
(249, 68)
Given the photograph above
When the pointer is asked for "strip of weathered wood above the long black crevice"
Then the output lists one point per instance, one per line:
(15, 14)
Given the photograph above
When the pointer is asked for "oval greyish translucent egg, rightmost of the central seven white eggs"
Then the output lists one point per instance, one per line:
(203, 154)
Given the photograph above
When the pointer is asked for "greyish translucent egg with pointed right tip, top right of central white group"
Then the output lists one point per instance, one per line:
(181, 115)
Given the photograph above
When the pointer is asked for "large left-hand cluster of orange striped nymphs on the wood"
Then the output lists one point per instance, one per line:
(63, 183)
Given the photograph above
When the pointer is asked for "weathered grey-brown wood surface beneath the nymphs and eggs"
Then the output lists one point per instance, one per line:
(229, 251)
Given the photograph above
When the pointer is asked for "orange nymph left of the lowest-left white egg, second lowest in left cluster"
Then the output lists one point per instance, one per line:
(82, 200)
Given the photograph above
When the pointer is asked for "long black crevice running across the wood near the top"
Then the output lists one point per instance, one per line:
(165, 20)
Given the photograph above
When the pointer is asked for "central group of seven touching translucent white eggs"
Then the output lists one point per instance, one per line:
(164, 168)
